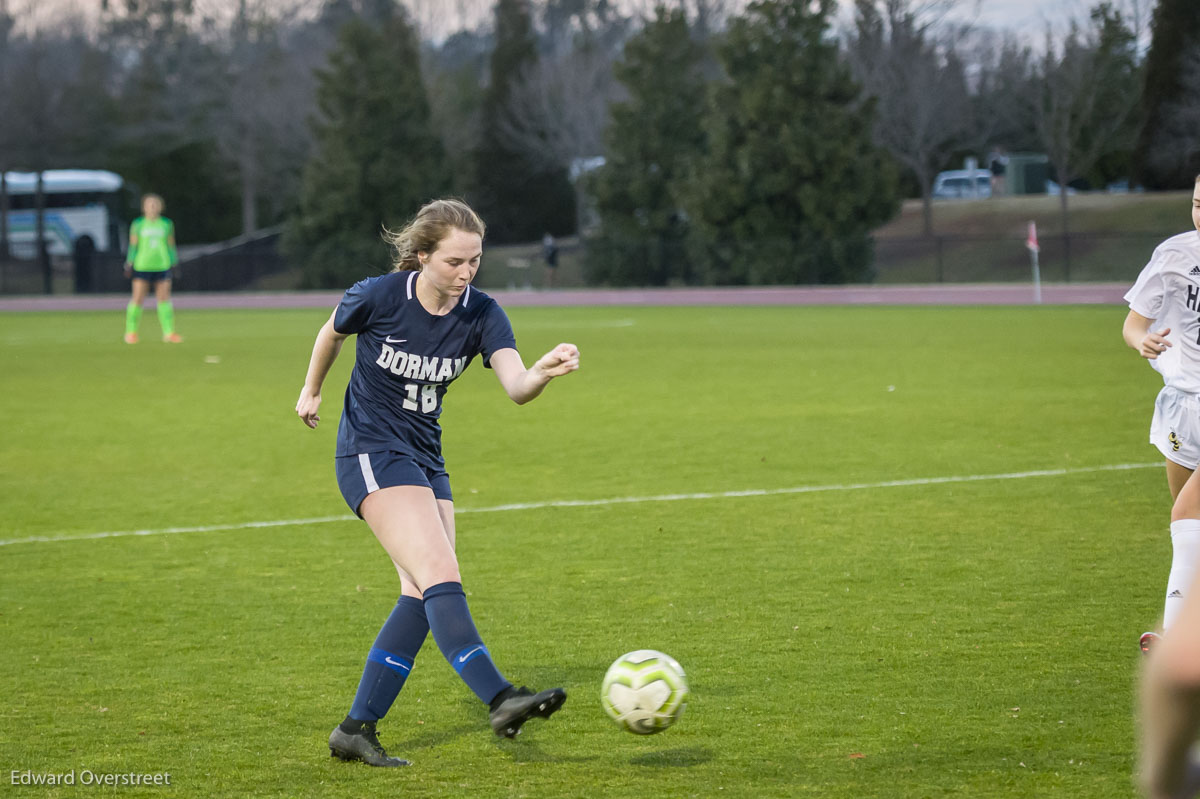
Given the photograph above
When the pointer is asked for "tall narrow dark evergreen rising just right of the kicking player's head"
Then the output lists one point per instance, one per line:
(518, 200)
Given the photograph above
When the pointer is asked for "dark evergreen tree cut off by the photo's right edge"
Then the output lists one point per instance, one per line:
(1175, 32)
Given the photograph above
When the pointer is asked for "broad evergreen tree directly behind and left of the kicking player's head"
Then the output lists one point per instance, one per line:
(376, 159)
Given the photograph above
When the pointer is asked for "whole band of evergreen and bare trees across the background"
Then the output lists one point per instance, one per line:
(704, 142)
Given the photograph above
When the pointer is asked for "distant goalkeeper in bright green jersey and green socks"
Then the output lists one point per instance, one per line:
(151, 260)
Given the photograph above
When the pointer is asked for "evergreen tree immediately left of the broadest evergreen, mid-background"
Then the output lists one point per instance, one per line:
(652, 139)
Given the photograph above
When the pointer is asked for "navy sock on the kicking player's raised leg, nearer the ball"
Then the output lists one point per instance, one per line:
(446, 605)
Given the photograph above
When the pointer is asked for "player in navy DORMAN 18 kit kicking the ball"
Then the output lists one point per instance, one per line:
(418, 328)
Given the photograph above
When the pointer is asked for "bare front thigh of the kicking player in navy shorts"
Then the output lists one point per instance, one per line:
(409, 524)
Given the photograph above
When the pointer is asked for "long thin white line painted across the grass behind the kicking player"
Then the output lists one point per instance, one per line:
(614, 501)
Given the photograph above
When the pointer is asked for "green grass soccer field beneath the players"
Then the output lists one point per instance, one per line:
(920, 618)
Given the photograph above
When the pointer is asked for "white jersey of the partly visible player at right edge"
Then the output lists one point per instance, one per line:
(1168, 291)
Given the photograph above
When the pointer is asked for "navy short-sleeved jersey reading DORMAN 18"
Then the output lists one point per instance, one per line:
(405, 359)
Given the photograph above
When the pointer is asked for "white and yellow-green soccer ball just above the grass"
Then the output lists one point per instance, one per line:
(645, 692)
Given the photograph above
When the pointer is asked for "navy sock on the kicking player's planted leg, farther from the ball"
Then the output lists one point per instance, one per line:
(391, 659)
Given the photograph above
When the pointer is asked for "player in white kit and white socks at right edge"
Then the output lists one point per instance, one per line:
(1167, 297)
